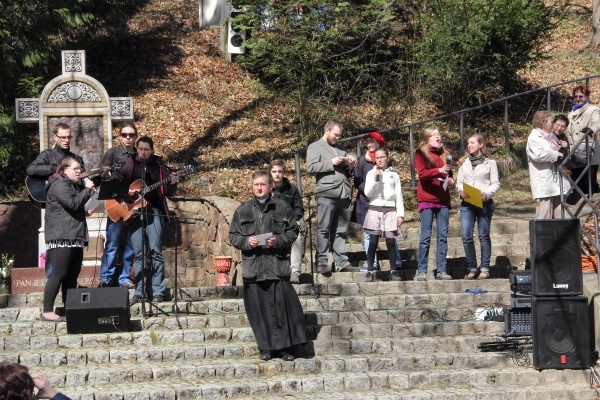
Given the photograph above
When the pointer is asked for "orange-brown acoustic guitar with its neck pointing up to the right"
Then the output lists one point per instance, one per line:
(127, 210)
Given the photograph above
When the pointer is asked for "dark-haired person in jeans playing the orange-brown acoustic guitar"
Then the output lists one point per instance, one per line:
(147, 169)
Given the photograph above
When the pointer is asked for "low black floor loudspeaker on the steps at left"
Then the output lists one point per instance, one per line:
(98, 310)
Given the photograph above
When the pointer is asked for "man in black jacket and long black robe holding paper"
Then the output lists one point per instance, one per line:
(264, 229)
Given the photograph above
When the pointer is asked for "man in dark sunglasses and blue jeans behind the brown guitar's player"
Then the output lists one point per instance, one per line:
(118, 240)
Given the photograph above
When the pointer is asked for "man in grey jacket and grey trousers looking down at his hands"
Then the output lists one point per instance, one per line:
(333, 168)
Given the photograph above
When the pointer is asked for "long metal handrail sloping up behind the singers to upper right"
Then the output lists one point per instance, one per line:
(412, 125)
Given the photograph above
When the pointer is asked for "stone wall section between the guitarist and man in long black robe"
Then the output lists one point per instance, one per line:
(199, 241)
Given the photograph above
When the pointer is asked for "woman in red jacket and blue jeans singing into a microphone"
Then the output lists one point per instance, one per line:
(433, 165)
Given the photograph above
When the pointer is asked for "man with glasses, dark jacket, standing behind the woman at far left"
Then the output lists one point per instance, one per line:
(45, 163)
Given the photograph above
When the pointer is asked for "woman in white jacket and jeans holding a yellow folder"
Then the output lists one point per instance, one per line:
(477, 175)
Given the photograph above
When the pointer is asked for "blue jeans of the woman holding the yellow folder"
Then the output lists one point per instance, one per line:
(468, 215)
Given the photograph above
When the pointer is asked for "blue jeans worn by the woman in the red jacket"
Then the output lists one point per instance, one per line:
(442, 216)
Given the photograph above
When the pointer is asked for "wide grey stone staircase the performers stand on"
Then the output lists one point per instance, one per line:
(381, 340)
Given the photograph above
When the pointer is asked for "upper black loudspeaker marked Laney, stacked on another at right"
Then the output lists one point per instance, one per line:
(555, 257)
